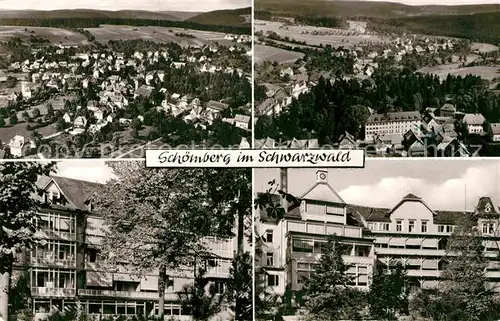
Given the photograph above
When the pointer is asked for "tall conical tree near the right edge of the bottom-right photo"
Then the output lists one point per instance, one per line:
(464, 286)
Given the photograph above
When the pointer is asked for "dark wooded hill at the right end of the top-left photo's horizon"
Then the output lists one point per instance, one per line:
(235, 18)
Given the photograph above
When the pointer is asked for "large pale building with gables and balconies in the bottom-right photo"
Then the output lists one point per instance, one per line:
(410, 232)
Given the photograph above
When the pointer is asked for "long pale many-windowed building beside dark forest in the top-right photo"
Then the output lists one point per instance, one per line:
(392, 123)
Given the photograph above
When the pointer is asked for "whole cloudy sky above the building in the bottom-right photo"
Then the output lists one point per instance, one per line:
(443, 184)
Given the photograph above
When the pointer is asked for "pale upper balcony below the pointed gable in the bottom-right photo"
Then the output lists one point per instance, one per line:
(324, 229)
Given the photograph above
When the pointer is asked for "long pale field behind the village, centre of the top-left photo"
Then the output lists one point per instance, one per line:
(157, 34)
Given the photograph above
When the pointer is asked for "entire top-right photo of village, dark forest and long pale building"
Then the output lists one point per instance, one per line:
(401, 78)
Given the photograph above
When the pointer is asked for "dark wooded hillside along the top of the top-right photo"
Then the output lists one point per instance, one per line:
(365, 8)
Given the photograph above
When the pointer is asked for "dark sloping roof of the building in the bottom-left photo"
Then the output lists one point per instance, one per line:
(77, 192)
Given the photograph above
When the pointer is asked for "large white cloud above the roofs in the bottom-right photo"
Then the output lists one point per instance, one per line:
(453, 194)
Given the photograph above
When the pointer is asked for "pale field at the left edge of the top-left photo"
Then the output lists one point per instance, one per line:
(55, 35)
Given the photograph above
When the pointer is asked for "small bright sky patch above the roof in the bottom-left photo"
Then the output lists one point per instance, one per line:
(86, 170)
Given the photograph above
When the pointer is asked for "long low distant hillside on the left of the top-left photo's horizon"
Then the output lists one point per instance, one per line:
(87, 14)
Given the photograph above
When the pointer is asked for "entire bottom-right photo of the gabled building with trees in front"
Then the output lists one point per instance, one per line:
(397, 240)
